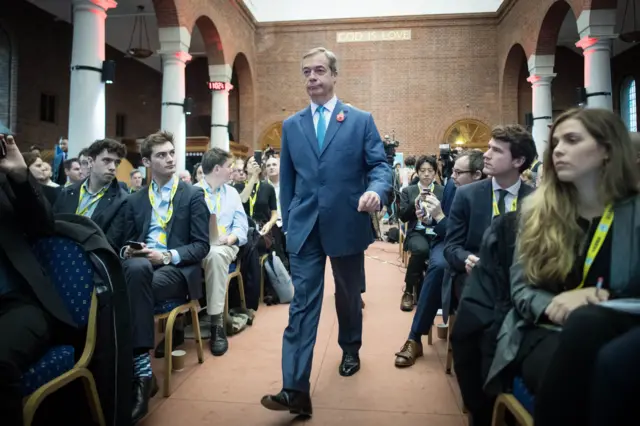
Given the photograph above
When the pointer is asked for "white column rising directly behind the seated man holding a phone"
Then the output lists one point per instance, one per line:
(174, 48)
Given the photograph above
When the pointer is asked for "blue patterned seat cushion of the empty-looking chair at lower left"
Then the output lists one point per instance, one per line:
(57, 361)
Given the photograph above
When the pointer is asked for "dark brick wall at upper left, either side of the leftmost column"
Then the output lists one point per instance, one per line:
(43, 51)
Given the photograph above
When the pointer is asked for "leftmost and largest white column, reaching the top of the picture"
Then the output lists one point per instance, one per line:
(87, 114)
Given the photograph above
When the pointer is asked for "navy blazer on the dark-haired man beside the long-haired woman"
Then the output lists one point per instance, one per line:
(470, 216)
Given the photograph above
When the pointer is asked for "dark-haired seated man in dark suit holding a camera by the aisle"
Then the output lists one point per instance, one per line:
(419, 234)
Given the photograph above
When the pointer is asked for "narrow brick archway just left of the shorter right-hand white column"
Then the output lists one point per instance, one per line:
(510, 82)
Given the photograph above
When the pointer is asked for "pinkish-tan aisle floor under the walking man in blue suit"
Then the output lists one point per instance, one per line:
(227, 390)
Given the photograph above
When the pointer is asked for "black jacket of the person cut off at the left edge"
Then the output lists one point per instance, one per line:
(26, 215)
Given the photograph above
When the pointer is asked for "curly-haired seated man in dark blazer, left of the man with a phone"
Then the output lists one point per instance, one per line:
(100, 196)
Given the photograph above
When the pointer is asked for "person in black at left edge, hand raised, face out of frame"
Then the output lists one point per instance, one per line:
(30, 308)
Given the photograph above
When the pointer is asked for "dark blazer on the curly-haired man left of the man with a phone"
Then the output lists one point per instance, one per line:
(105, 213)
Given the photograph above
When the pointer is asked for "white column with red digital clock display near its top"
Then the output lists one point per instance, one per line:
(220, 105)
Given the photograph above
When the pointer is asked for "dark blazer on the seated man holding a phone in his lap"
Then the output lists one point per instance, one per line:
(187, 231)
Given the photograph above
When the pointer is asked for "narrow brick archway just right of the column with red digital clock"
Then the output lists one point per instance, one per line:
(246, 99)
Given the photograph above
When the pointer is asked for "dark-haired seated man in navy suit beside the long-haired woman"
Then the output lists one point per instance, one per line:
(511, 151)
